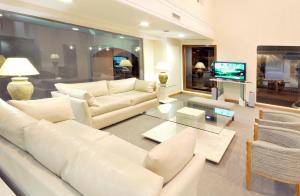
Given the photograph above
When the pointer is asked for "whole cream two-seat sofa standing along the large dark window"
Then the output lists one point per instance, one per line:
(103, 103)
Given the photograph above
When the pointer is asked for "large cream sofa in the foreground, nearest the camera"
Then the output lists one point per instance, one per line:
(44, 151)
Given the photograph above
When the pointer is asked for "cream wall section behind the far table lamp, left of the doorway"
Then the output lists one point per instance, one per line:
(169, 52)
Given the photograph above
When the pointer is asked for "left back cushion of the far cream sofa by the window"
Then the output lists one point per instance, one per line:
(98, 88)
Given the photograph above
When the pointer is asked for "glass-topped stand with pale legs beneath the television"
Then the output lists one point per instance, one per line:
(243, 85)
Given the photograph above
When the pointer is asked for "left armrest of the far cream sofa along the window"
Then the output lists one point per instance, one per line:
(80, 108)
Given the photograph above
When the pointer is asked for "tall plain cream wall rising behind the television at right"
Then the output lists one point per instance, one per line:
(240, 26)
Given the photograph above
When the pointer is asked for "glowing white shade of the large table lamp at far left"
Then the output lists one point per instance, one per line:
(18, 67)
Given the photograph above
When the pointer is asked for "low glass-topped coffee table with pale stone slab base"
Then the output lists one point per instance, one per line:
(213, 137)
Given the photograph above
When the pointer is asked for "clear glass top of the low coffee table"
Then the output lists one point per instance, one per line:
(215, 118)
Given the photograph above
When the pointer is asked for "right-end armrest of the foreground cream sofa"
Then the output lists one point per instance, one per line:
(187, 181)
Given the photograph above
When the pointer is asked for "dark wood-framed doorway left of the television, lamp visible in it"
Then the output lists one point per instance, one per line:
(197, 67)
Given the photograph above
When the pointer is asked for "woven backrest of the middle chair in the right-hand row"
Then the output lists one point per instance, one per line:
(277, 135)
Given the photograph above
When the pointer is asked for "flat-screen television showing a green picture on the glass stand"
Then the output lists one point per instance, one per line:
(229, 70)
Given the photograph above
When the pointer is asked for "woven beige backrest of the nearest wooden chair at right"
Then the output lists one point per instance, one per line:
(281, 163)
